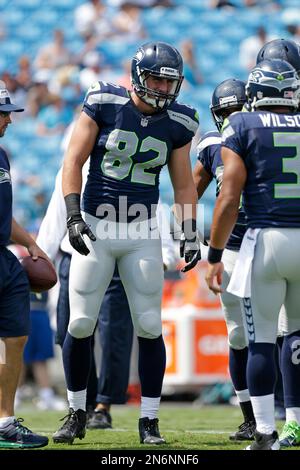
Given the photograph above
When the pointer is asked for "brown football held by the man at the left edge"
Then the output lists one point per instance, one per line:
(41, 273)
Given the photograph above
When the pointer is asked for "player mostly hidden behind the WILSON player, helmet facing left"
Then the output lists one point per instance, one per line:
(228, 97)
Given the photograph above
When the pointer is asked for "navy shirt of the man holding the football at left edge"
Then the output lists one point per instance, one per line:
(5, 199)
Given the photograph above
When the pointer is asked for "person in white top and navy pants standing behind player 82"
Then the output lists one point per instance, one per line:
(115, 329)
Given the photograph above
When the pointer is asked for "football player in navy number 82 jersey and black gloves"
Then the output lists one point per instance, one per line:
(129, 136)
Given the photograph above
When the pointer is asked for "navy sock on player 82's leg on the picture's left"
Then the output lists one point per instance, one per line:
(77, 360)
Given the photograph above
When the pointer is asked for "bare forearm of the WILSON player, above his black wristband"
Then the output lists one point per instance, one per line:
(224, 219)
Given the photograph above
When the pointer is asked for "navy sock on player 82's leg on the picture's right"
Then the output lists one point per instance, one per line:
(152, 364)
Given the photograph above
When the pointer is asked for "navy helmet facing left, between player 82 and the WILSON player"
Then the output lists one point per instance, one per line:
(228, 96)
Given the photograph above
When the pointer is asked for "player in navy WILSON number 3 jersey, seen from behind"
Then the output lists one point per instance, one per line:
(260, 152)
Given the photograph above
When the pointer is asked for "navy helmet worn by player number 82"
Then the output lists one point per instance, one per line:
(158, 59)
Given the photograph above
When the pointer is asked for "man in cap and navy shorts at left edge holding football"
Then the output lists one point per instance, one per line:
(14, 300)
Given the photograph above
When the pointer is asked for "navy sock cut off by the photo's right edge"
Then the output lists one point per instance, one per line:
(290, 369)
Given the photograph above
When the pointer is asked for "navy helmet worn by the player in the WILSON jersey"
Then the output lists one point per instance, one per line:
(272, 82)
